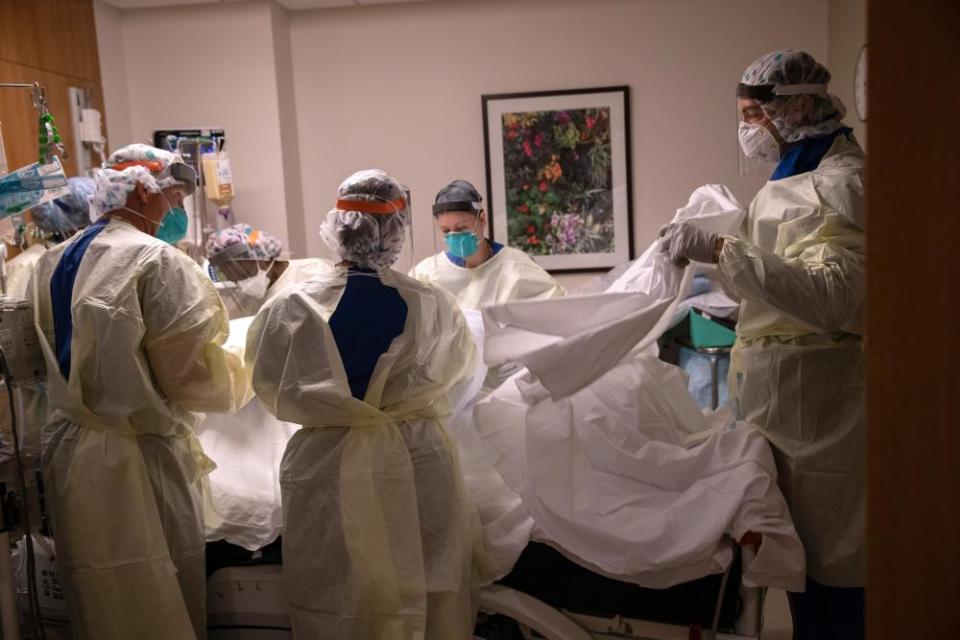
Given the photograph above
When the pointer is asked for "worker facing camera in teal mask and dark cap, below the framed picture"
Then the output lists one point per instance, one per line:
(476, 270)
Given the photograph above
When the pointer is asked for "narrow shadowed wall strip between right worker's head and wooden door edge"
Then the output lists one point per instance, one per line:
(848, 33)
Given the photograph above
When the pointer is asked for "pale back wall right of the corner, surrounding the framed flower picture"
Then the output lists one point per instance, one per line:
(398, 87)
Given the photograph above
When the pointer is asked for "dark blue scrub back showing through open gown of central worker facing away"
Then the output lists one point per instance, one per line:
(367, 319)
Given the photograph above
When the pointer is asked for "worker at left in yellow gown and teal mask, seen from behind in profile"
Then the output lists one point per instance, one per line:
(131, 330)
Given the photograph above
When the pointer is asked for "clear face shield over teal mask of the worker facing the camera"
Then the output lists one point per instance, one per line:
(459, 233)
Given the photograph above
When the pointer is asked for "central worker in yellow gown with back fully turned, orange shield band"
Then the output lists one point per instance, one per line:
(379, 540)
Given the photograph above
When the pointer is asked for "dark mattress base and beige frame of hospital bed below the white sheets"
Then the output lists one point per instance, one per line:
(545, 596)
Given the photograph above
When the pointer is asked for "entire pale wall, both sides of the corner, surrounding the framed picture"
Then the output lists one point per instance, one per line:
(309, 97)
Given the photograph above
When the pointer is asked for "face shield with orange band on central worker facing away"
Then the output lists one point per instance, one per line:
(372, 233)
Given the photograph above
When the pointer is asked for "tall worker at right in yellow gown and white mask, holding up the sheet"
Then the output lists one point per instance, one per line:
(797, 368)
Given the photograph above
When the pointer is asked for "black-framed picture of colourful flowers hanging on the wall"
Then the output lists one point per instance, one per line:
(559, 176)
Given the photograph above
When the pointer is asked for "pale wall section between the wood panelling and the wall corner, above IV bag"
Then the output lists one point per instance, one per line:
(211, 66)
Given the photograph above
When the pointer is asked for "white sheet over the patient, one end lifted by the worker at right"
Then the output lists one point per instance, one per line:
(601, 451)
